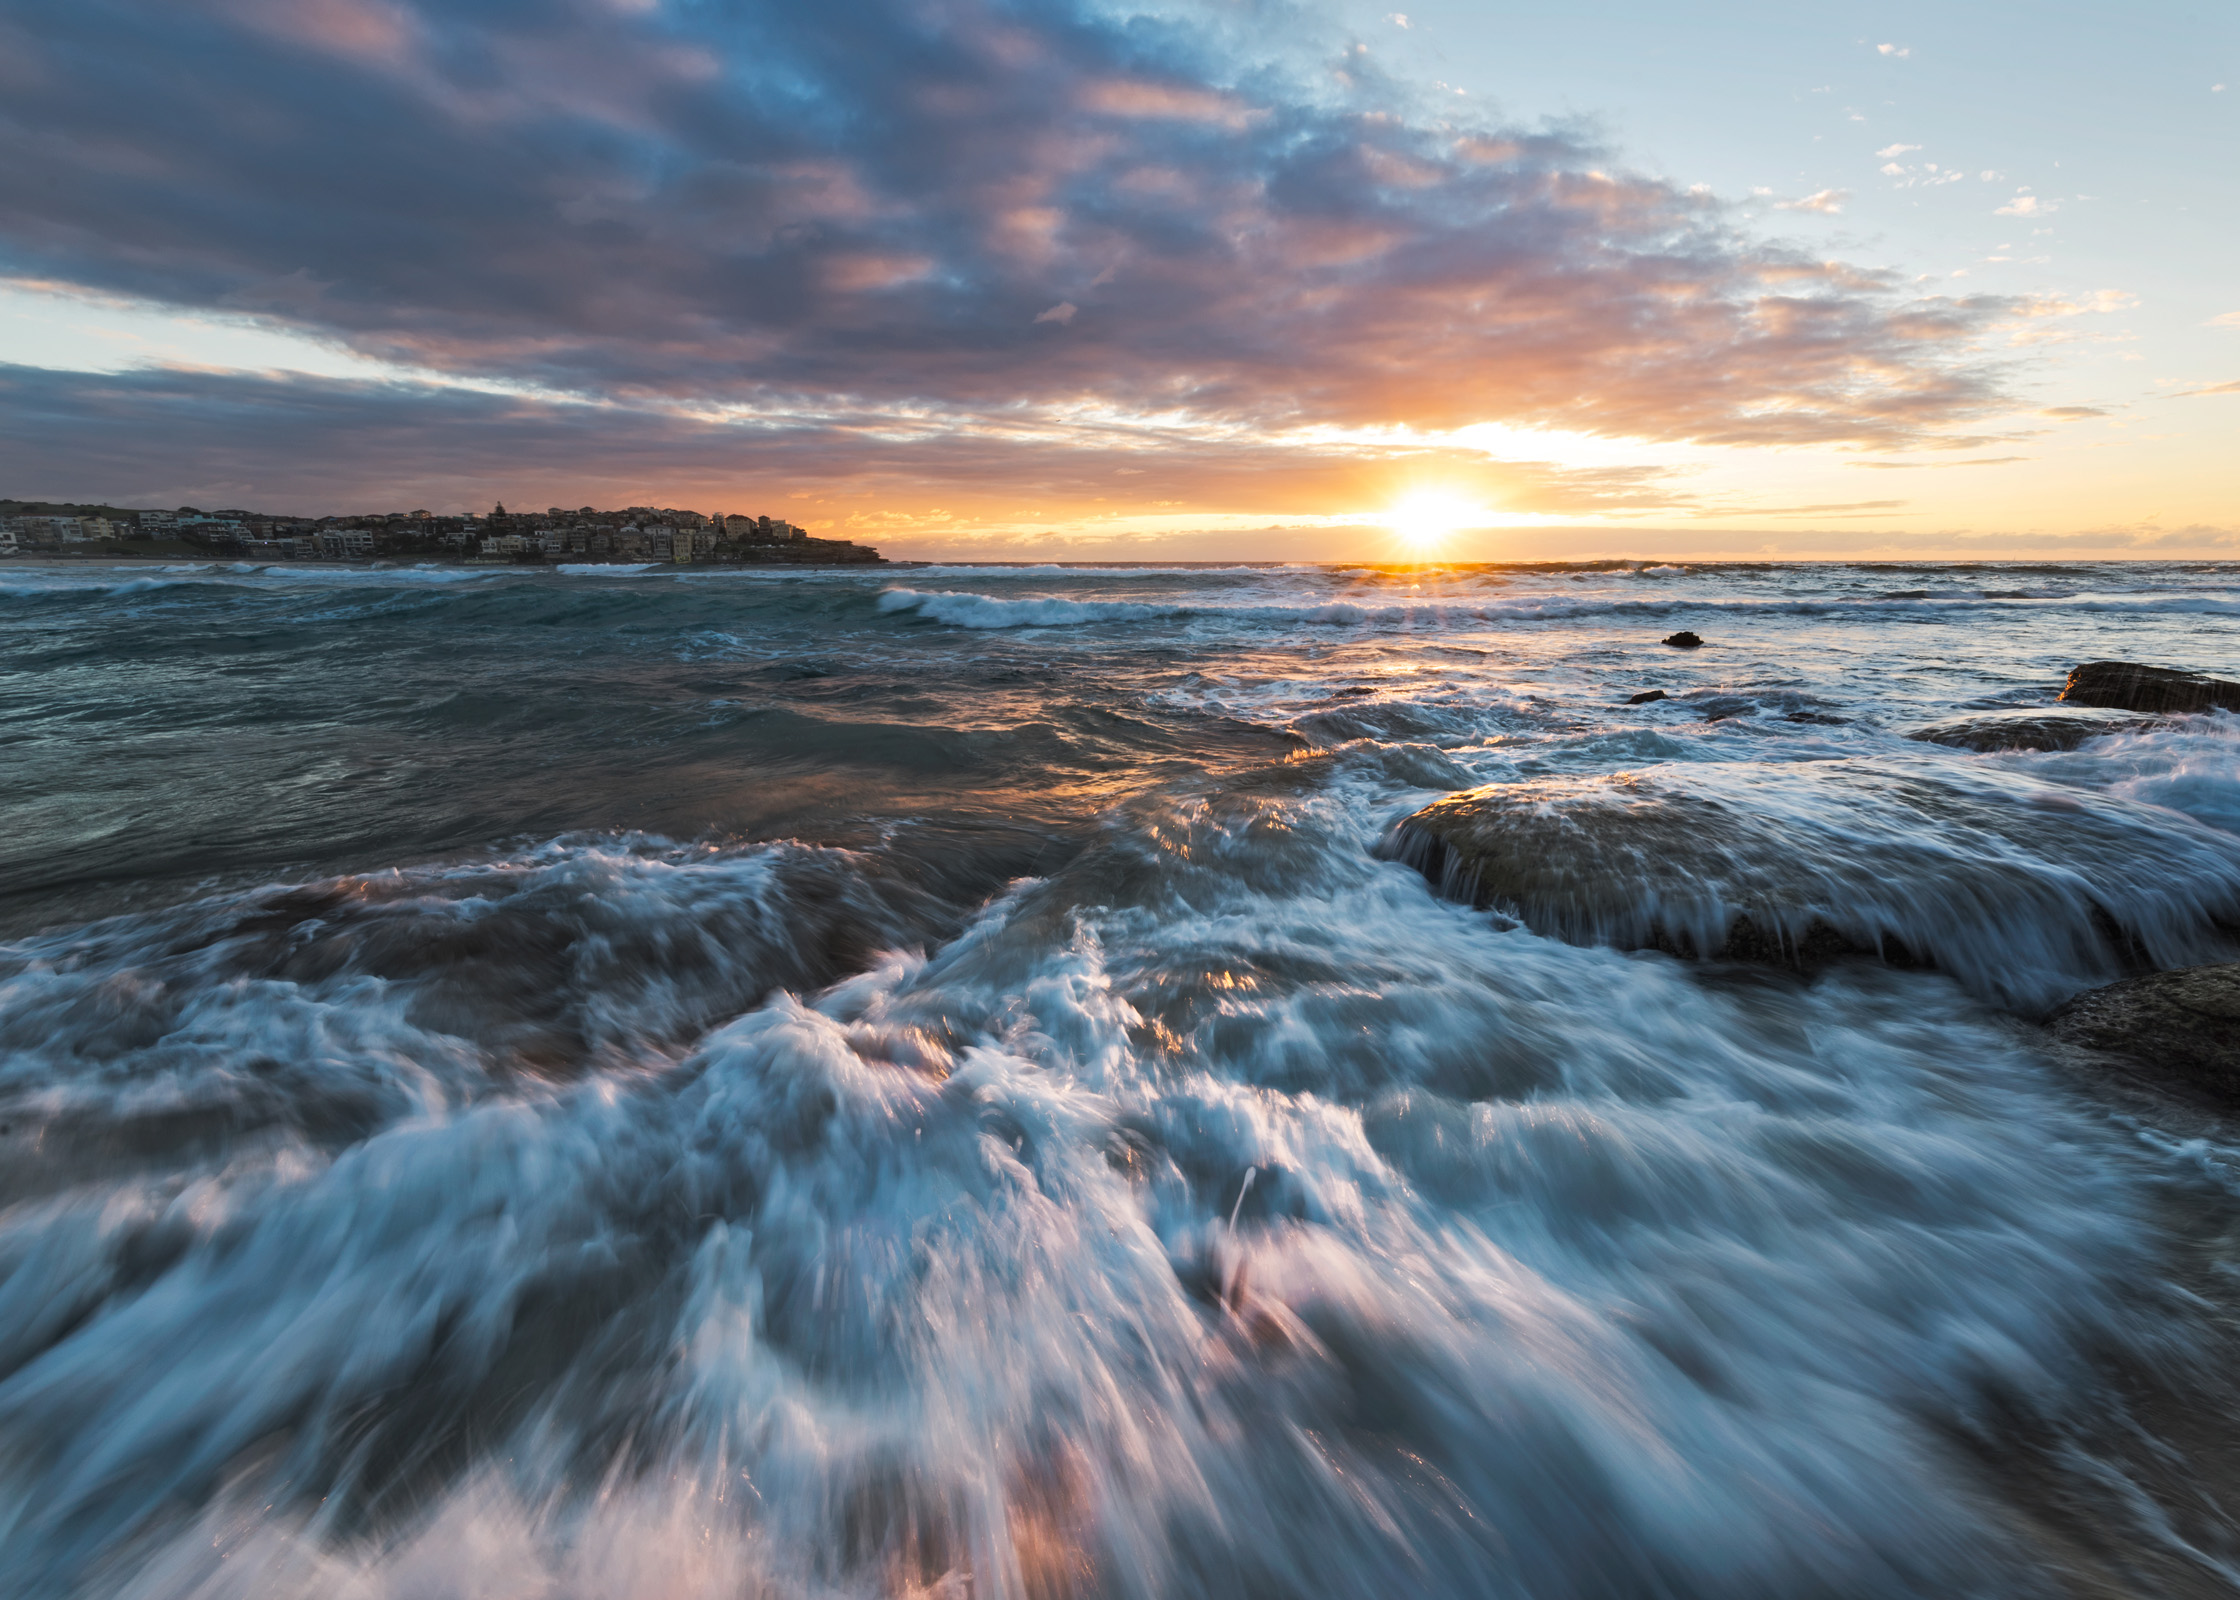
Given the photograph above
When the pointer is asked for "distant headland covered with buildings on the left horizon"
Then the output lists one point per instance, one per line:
(530, 539)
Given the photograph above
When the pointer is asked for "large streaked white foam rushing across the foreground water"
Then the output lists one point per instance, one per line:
(958, 1274)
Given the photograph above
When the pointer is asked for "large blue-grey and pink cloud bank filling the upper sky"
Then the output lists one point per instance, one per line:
(940, 205)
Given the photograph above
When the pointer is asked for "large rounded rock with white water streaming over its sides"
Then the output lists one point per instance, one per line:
(2019, 889)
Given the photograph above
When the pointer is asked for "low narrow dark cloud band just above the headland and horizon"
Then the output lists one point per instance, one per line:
(301, 445)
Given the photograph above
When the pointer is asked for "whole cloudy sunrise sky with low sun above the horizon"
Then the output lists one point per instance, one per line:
(1110, 281)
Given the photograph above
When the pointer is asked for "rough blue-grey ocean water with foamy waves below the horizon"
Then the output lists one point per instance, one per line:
(933, 1083)
